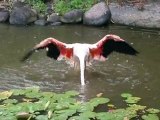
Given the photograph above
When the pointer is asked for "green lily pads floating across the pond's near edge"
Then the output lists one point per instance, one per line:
(33, 104)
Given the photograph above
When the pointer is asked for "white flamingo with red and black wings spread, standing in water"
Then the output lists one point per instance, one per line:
(81, 53)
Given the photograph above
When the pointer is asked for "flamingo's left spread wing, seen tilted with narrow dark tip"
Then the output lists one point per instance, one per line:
(55, 49)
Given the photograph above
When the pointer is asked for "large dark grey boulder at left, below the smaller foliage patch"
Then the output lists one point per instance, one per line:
(23, 15)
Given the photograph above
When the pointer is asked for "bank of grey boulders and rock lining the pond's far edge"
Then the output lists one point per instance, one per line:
(146, 16)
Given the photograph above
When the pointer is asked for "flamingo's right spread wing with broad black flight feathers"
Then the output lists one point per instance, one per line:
(108, 44)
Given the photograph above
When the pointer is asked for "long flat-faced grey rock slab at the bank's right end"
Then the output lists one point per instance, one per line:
(149, 17)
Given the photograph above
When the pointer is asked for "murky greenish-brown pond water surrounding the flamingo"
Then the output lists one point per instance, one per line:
(138, 75)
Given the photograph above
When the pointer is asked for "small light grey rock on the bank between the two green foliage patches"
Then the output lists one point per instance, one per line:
(53, 18)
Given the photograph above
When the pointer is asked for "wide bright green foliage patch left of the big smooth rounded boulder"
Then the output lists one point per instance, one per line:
(63, 6)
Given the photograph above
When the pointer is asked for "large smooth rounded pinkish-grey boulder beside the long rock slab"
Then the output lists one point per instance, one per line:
(98, 15)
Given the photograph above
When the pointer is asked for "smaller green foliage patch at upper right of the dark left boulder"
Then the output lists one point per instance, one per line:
(39, 5)
